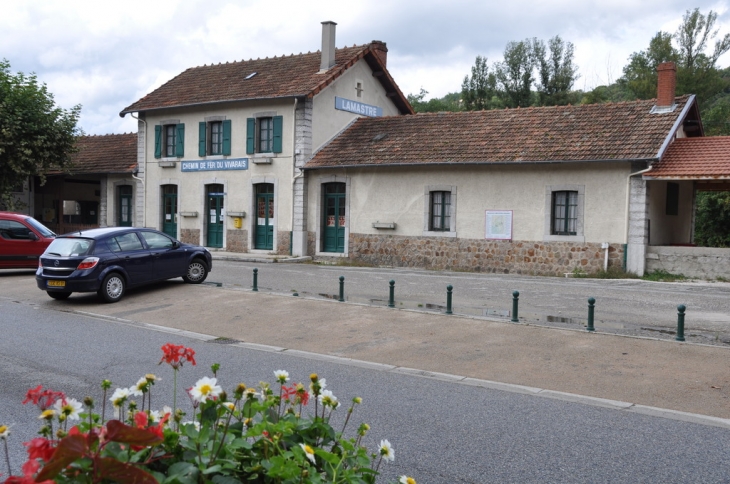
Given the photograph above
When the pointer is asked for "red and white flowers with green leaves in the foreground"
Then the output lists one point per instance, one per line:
(279, 434)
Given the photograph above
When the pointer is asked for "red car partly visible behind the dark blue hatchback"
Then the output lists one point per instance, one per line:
(22, 240)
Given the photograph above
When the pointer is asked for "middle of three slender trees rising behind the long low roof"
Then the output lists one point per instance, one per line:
(515, 73)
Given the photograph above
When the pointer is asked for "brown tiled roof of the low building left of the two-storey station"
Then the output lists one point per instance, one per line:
(109, 153)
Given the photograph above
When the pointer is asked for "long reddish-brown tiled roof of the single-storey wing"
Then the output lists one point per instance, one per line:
(591, 132)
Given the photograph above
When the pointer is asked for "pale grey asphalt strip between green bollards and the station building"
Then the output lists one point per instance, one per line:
(626, 306)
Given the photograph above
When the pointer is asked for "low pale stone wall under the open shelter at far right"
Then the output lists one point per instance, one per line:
(700, 262)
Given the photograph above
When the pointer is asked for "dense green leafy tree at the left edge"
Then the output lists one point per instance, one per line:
(35, 135)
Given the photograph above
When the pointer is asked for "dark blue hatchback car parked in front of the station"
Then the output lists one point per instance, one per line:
(110, 260)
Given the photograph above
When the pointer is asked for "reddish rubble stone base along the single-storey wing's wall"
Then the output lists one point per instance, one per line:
(478, 255)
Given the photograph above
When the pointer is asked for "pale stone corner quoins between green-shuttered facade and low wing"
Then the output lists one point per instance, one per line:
(302, 154)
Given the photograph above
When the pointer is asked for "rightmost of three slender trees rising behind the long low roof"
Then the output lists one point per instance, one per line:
(557, 72)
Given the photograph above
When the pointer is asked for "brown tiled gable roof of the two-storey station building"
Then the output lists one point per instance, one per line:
(275, 77)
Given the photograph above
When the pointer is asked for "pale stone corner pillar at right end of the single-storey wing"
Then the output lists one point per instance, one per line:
(638, 225)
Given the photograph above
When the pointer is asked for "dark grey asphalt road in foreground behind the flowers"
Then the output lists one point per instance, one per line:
(442, 432)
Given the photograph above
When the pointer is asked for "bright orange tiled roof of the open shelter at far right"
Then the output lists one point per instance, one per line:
(694, 158)
